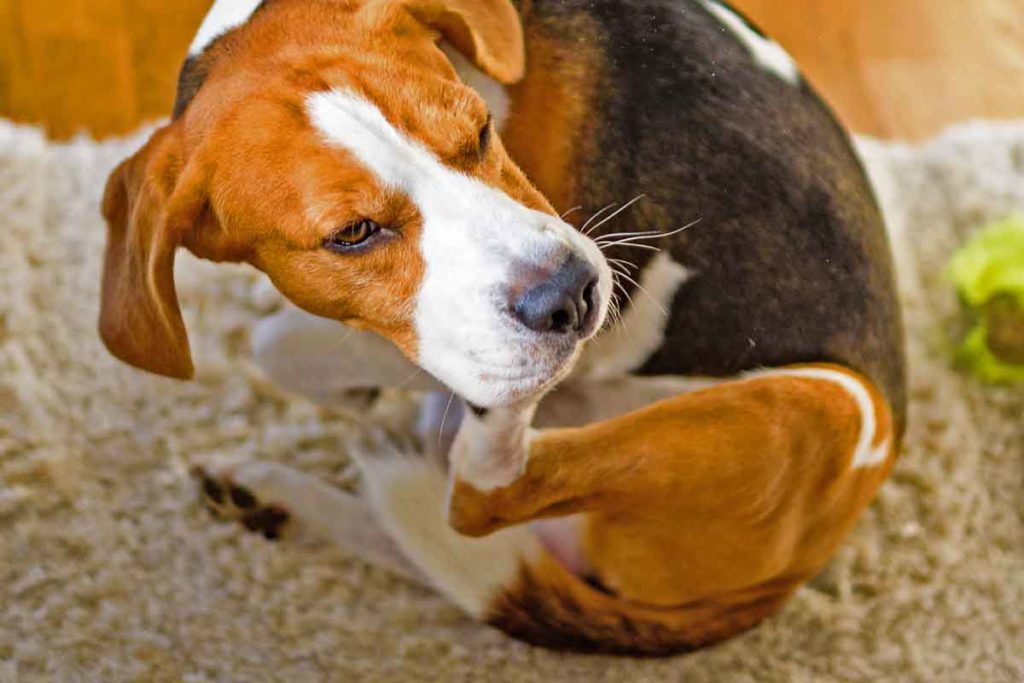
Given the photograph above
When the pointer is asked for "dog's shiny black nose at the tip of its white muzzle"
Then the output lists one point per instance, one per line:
(564, 305)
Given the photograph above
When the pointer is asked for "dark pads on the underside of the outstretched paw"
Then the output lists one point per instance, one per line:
(228, 500)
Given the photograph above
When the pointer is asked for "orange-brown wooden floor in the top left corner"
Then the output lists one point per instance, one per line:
(103, 66)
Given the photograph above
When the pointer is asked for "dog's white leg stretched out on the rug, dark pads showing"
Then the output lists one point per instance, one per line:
(277, 500)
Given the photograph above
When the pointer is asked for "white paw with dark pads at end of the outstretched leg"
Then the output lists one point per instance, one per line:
(237, 493)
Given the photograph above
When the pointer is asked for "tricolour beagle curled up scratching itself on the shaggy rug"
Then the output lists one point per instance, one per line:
(626, 234)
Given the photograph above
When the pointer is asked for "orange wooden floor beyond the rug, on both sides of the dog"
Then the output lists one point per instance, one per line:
(891, 68)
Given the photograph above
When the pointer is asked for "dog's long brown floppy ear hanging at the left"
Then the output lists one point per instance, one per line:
(152, 202)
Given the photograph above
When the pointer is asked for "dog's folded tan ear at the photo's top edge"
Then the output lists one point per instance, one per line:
(489, 33)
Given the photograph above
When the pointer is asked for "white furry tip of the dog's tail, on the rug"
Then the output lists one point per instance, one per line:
(409, 496)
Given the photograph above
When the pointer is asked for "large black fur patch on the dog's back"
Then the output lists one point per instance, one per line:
(791, 258)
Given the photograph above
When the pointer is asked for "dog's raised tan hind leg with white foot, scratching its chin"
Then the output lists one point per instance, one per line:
(756, 463)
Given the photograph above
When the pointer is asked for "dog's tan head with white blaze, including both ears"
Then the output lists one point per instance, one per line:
(333, 147)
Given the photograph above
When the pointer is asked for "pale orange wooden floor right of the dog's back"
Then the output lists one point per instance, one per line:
(906, 68)
